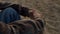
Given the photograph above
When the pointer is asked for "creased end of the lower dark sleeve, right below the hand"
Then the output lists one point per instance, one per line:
(40, 24)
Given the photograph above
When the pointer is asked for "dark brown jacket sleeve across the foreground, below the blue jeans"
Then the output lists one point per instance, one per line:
(23, 27)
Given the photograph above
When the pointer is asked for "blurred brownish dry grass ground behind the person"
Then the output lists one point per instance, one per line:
(50, 10)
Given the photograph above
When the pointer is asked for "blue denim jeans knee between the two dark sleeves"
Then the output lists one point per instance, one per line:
(9, 15)
